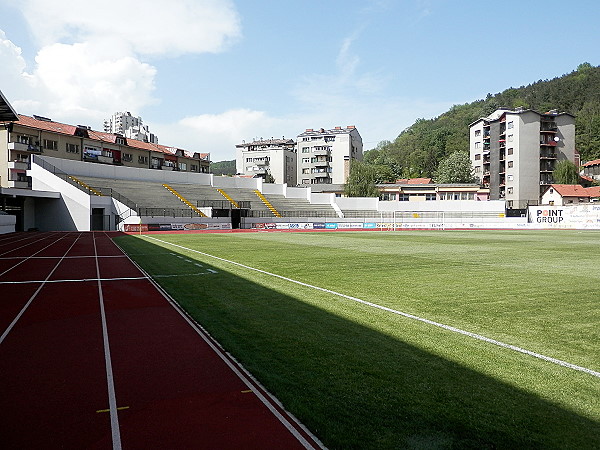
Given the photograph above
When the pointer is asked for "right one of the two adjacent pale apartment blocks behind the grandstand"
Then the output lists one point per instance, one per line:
(324, 156)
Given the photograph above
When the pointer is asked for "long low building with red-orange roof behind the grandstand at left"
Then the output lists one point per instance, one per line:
(40, 135)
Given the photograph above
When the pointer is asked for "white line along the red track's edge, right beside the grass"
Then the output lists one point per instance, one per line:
(263, 395)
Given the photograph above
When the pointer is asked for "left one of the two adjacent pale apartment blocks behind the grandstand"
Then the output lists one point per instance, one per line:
(263, 157)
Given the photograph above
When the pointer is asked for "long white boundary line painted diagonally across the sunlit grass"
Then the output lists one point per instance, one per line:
(400, 313)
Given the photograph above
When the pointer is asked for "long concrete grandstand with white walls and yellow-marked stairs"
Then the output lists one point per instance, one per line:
(108, 197)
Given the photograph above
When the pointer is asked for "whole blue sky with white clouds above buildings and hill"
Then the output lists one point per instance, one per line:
(207, 74)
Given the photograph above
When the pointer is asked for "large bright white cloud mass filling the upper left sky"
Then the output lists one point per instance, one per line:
(89, 61)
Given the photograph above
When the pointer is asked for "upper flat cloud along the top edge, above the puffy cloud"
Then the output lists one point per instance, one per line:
(151, 27)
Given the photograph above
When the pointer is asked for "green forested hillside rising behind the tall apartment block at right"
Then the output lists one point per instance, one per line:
(418, 150)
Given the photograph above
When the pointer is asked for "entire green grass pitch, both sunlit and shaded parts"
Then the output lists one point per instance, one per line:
(362, 377)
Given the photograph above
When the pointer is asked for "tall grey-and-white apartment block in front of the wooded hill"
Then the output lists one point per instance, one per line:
(514, 152)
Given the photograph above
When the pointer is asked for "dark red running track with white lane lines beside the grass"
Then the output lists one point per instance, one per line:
(93, 355)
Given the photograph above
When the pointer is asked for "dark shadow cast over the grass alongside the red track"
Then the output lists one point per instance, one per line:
(353, 386)
